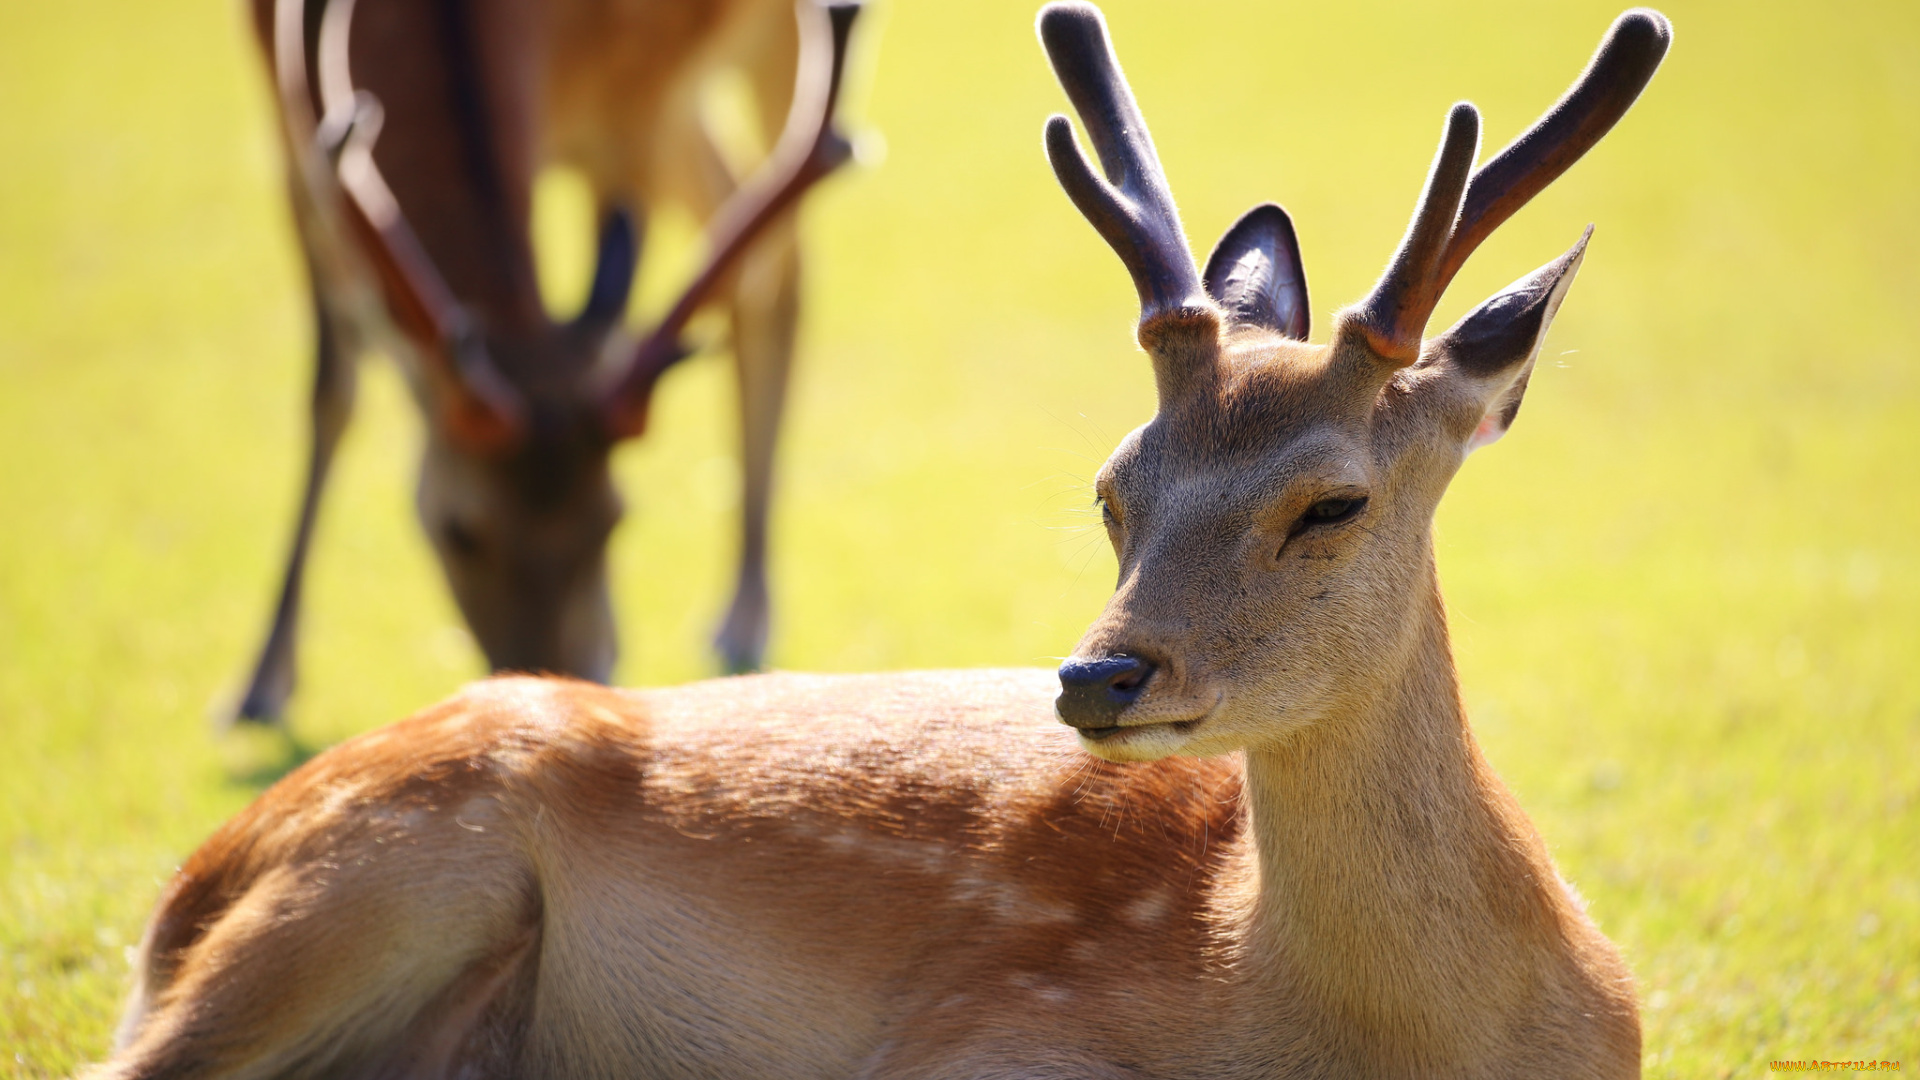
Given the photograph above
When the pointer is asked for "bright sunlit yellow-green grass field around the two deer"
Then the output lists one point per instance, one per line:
(1687, 589)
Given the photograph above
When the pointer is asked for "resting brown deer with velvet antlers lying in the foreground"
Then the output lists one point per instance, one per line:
(1243, 831)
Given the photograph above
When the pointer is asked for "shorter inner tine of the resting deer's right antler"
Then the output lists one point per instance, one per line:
(1397, 310)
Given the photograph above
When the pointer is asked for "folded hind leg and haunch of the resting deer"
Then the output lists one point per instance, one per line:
(404, 962)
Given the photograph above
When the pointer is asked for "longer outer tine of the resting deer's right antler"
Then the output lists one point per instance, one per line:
(1621, 68)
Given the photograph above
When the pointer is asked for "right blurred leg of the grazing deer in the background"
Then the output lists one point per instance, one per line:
(765, 322)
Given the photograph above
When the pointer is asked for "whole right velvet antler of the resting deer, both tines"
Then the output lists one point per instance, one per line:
(1458, 214)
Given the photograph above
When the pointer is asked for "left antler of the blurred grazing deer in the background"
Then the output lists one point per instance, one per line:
(335, 159)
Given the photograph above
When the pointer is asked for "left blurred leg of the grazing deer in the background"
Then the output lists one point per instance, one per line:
(331, 408)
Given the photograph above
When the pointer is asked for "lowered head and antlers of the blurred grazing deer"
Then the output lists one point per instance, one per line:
(516, 487)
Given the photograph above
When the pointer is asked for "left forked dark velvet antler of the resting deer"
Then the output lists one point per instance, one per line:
(1132, 210)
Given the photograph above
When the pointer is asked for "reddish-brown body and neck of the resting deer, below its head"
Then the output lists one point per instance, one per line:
(871, 877)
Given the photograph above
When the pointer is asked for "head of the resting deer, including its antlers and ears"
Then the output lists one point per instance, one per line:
(1274, 518)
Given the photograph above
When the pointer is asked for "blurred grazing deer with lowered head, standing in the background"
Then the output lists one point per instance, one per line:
(420, 245)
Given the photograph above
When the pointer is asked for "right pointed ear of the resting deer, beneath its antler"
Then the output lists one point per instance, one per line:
(1497, 345)
